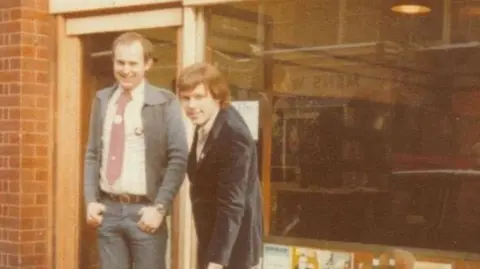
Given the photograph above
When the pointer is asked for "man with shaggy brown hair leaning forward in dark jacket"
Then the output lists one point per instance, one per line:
(223, 170)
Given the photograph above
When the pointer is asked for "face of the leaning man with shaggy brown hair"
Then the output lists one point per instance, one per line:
(199, 105)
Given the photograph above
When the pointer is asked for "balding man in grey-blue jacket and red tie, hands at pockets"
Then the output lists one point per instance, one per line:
(135, 161)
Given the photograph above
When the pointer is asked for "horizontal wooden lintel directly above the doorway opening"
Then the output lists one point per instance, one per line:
(124, 21)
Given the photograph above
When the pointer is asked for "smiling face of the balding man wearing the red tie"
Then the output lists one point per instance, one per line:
(129, 65)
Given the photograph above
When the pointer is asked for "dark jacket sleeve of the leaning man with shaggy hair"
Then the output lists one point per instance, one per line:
(231, 199)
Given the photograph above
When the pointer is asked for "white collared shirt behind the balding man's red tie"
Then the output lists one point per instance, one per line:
(133, 177)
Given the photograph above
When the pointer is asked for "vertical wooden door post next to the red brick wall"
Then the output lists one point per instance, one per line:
(68, 149)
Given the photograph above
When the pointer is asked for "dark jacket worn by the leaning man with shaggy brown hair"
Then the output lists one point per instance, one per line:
(226, 196)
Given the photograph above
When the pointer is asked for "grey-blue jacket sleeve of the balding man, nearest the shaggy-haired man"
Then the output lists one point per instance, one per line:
(177, 154)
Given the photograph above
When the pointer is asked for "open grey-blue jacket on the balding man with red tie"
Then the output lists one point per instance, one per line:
(165, 139)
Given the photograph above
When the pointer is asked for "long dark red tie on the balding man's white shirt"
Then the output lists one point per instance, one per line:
(117, 139)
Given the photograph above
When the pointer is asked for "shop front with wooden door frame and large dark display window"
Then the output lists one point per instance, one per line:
(367, 121)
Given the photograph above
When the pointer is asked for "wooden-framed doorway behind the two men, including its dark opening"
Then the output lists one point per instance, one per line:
(84, 67)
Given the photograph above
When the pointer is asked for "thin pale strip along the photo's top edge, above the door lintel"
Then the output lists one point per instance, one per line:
(62, 6)
